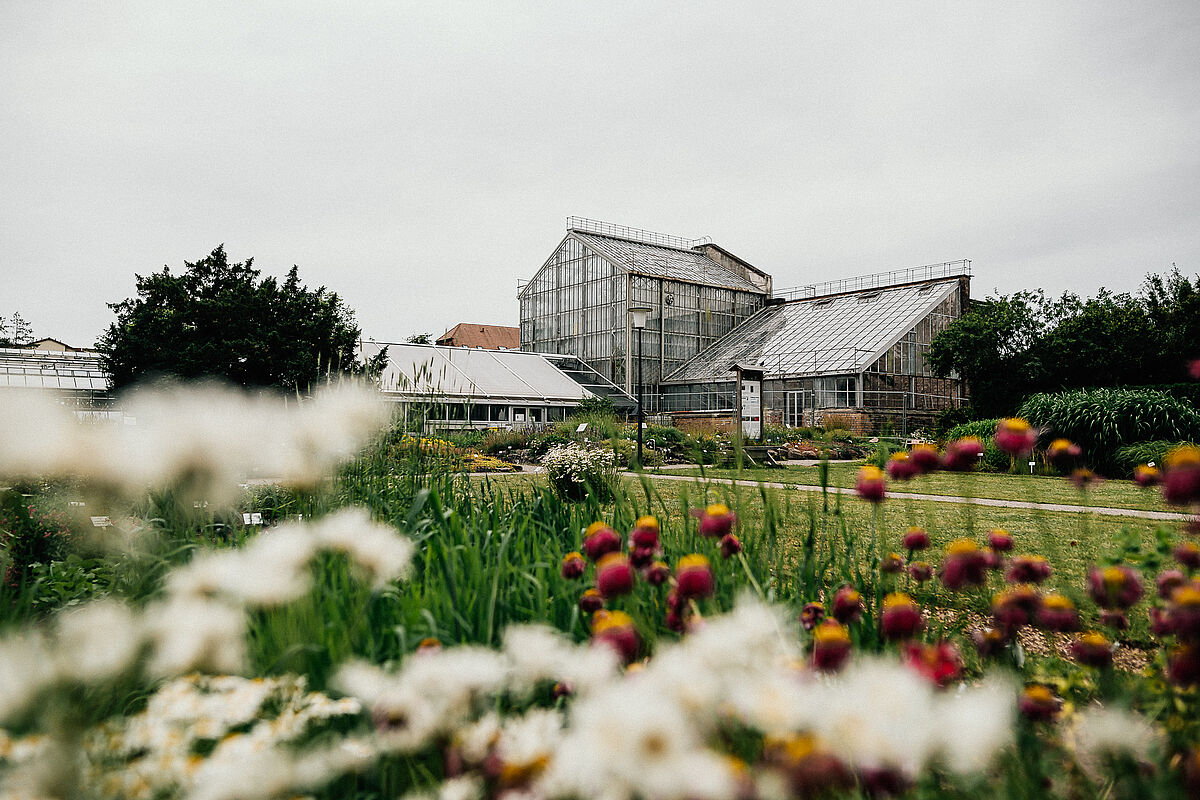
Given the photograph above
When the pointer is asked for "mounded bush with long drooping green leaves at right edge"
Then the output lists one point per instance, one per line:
(1102, 420)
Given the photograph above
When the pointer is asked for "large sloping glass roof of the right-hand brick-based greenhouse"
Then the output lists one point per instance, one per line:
(832, 335)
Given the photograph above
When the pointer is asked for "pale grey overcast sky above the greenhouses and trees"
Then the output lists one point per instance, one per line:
(421, 158)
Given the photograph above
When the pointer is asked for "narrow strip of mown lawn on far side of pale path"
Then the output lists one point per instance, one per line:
(1030, 489)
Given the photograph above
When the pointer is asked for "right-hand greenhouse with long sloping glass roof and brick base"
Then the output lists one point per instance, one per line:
(859, 354)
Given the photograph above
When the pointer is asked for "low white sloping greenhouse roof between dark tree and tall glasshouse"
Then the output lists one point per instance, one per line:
(433, 372)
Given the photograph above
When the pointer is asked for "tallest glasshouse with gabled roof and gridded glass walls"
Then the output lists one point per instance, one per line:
(579, 303)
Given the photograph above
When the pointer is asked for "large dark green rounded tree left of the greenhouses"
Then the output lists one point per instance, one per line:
(223, 320)
